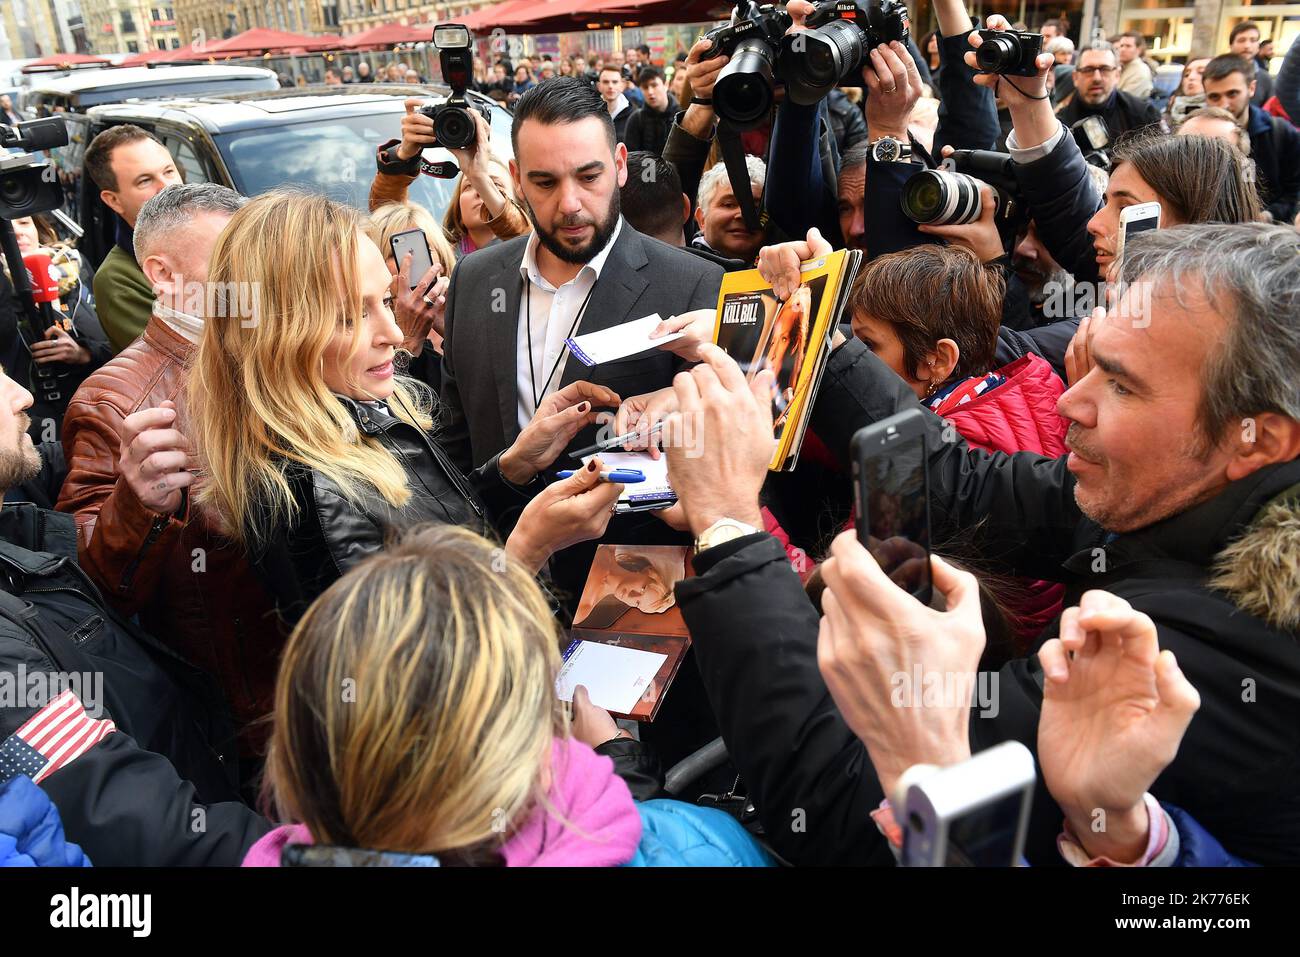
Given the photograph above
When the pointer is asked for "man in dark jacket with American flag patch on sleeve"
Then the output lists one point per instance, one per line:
(128, 741)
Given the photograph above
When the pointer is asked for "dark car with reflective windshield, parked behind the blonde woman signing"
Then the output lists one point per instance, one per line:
(317, 138)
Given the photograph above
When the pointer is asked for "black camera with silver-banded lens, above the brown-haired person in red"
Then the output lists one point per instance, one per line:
(950, 196)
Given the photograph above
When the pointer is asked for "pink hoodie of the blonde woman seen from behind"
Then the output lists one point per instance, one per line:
(595, 822)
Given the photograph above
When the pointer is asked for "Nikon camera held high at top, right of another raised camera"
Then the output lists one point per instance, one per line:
(838, 46)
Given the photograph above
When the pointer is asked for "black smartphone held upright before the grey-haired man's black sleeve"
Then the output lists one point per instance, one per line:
(891, 492)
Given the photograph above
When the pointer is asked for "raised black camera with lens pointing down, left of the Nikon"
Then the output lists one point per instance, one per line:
(743, 93)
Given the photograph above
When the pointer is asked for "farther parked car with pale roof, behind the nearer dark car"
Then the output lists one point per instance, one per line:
(85, 89)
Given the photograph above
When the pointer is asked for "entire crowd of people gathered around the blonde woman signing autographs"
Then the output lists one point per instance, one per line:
(300, 534)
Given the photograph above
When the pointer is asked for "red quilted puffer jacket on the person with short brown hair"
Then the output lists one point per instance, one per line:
(1019, 417)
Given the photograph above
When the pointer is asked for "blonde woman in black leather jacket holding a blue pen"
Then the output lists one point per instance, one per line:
(315, 451)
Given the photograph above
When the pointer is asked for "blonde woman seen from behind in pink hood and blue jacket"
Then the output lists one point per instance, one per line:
(448, 742)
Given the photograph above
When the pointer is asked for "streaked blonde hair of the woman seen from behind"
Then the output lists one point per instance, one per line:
(415, 708)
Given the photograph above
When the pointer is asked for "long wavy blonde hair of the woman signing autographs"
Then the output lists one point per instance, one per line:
(257, 396)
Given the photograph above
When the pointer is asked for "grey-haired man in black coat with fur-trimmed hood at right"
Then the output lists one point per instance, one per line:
(1181, 495)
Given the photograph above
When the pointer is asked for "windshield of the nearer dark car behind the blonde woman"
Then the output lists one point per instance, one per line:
(336, 157)
